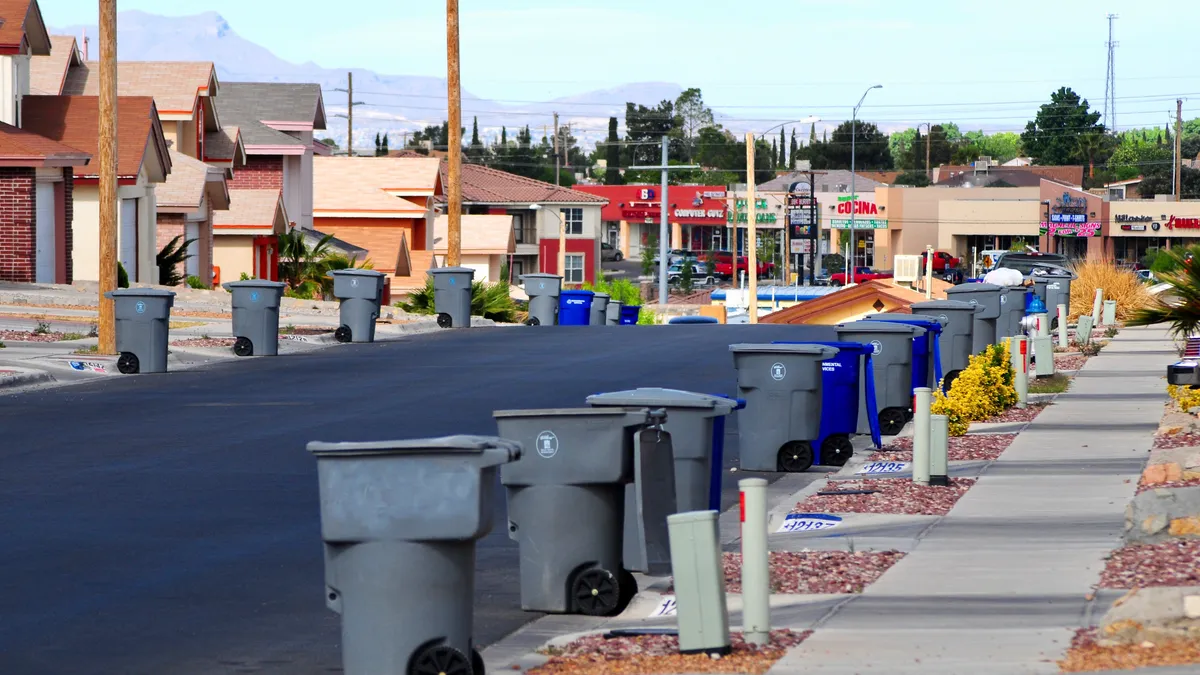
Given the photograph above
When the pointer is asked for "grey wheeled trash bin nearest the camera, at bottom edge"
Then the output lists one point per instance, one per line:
(401, 572)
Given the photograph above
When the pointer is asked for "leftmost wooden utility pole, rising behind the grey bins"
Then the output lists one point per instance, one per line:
(107, 162)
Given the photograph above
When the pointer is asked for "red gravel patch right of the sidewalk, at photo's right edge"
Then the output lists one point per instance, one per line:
(1171, 564)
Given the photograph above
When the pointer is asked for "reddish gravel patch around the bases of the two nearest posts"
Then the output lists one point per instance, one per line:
(659, 655)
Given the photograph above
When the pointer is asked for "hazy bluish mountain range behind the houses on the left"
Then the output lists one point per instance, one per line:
(394, 104)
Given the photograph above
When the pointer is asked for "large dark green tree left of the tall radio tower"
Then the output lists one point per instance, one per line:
(1053, 136)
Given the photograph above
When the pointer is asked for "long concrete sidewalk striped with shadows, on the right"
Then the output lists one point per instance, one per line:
(1001, 583)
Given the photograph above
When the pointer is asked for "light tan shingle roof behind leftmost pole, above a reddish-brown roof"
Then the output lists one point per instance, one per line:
(176, 86)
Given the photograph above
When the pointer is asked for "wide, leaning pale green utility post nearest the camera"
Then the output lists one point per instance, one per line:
(699, 574)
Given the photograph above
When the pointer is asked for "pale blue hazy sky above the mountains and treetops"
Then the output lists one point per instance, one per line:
(982, 64)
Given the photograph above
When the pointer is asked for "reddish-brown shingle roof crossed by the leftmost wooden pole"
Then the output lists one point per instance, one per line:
(75, 121)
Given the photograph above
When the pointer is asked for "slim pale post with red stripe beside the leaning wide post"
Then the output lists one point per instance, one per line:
(755, 564)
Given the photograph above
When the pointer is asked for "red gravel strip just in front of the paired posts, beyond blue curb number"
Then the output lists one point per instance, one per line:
(892, 495)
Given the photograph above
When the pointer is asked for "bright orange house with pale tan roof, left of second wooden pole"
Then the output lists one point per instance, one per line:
(382, 205)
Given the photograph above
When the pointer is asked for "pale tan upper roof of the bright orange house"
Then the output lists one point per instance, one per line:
(363, 184)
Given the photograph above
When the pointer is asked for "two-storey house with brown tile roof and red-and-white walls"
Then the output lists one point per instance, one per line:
(538, 210)
